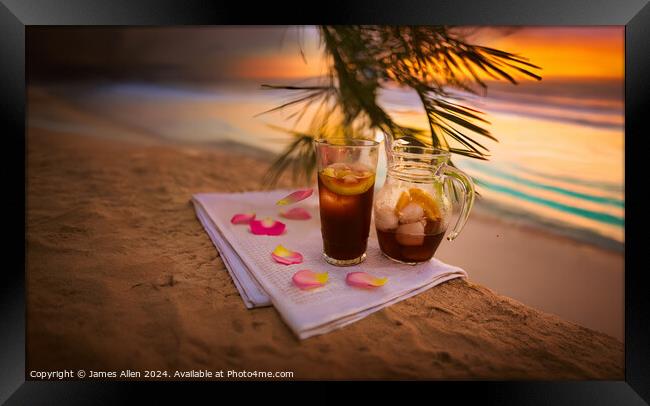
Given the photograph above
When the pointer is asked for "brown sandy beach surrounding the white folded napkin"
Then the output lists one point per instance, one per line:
(121, 275)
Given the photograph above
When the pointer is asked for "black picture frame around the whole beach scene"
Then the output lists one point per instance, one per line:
(16, 15)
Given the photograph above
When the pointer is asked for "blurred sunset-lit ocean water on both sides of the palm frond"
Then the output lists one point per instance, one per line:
(559, 162)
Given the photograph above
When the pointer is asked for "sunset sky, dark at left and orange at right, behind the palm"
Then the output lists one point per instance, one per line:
(261, 52)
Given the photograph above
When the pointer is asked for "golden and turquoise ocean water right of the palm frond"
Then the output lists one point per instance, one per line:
(559, 162)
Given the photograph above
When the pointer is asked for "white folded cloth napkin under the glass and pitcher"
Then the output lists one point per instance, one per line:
(261, 281)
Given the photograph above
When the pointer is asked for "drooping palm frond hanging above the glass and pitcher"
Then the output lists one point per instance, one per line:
(431, 60)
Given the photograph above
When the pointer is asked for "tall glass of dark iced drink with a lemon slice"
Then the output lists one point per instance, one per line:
(346, 179)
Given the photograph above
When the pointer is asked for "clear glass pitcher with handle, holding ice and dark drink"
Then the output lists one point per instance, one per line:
(413, 209)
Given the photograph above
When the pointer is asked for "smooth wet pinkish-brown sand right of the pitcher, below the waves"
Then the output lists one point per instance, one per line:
(577, 281)
